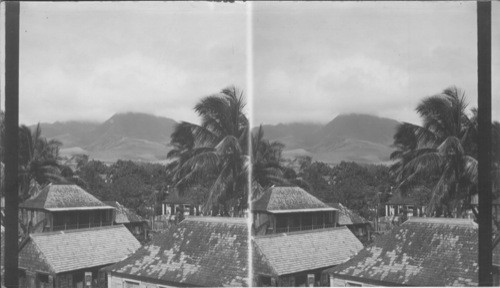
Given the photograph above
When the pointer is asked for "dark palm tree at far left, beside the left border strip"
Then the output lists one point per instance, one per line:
(38, 159)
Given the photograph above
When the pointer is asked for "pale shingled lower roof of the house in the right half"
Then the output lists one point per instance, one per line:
(307, 250)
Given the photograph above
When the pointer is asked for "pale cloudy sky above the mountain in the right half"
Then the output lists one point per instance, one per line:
(314, 61)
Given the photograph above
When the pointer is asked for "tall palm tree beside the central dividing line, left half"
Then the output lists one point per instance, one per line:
(216, 151)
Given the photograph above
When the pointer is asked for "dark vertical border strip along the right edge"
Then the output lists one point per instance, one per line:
(484, 142)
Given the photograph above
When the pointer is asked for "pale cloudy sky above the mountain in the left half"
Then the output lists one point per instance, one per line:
(88, 61)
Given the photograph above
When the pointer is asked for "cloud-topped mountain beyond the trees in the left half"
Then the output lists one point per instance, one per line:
(127, 136)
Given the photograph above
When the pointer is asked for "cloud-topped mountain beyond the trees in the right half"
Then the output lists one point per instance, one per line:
(351, 137)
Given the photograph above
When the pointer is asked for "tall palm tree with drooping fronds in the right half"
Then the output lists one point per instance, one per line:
(439, 154)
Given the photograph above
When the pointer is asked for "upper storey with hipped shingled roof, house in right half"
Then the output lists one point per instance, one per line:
(288, 209)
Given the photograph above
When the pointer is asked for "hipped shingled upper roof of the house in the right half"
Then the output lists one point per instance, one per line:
(288, 199)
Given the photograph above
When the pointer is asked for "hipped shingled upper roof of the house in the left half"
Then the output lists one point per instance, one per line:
(58, 197)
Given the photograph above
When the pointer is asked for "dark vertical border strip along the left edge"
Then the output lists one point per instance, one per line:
(11, 141)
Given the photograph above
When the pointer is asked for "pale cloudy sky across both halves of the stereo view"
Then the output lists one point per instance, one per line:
(309, 61)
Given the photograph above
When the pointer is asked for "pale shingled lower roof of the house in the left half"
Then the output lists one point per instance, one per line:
(77, 249)
